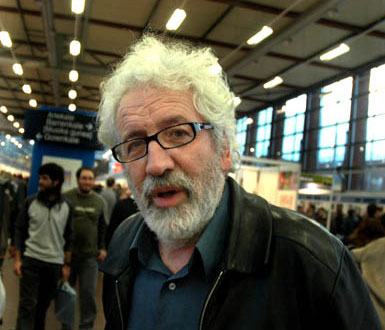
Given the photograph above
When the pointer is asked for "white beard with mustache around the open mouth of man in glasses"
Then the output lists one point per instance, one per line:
(182, 225)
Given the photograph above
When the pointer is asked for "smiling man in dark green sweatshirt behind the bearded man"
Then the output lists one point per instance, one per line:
(89, 244)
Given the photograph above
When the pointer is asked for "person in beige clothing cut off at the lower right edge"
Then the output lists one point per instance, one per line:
(371, 261)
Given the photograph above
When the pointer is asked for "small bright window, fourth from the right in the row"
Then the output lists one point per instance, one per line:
(263, 132)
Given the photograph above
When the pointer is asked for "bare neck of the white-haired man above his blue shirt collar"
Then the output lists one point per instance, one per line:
(175, 258)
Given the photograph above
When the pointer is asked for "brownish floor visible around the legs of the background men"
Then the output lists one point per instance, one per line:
(11, 283)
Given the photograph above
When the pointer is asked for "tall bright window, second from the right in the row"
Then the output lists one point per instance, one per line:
(334, 122)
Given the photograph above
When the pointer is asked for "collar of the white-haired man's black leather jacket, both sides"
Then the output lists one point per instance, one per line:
(248, 242)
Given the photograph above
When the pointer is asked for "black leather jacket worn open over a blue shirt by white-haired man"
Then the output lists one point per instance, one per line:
(280, 271)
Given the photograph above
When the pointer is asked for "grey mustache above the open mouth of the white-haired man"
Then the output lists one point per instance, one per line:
(180, 180)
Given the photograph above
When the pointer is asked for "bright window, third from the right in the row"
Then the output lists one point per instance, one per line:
(293, 127)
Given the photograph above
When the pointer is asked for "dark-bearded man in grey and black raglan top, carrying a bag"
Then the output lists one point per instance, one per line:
(43, 233)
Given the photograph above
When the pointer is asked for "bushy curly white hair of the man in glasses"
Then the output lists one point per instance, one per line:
(175, 66)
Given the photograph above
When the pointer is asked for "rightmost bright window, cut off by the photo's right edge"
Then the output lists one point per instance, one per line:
(375, 132)
